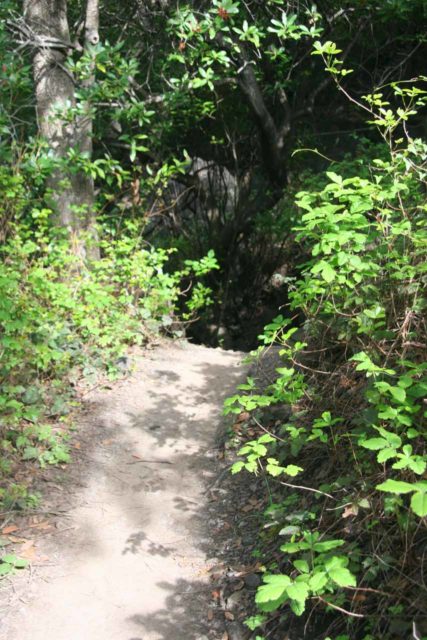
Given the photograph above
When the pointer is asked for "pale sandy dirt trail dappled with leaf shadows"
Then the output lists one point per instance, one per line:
(133, 561)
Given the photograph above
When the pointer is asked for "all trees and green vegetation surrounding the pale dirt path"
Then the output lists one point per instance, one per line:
(215, 167)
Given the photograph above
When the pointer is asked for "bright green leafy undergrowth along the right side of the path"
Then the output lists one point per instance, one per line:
(343, 539)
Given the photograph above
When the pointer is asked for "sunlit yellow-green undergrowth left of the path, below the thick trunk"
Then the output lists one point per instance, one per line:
(62, 323)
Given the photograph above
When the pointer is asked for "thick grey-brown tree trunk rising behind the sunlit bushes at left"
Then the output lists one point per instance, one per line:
(71, 193)
